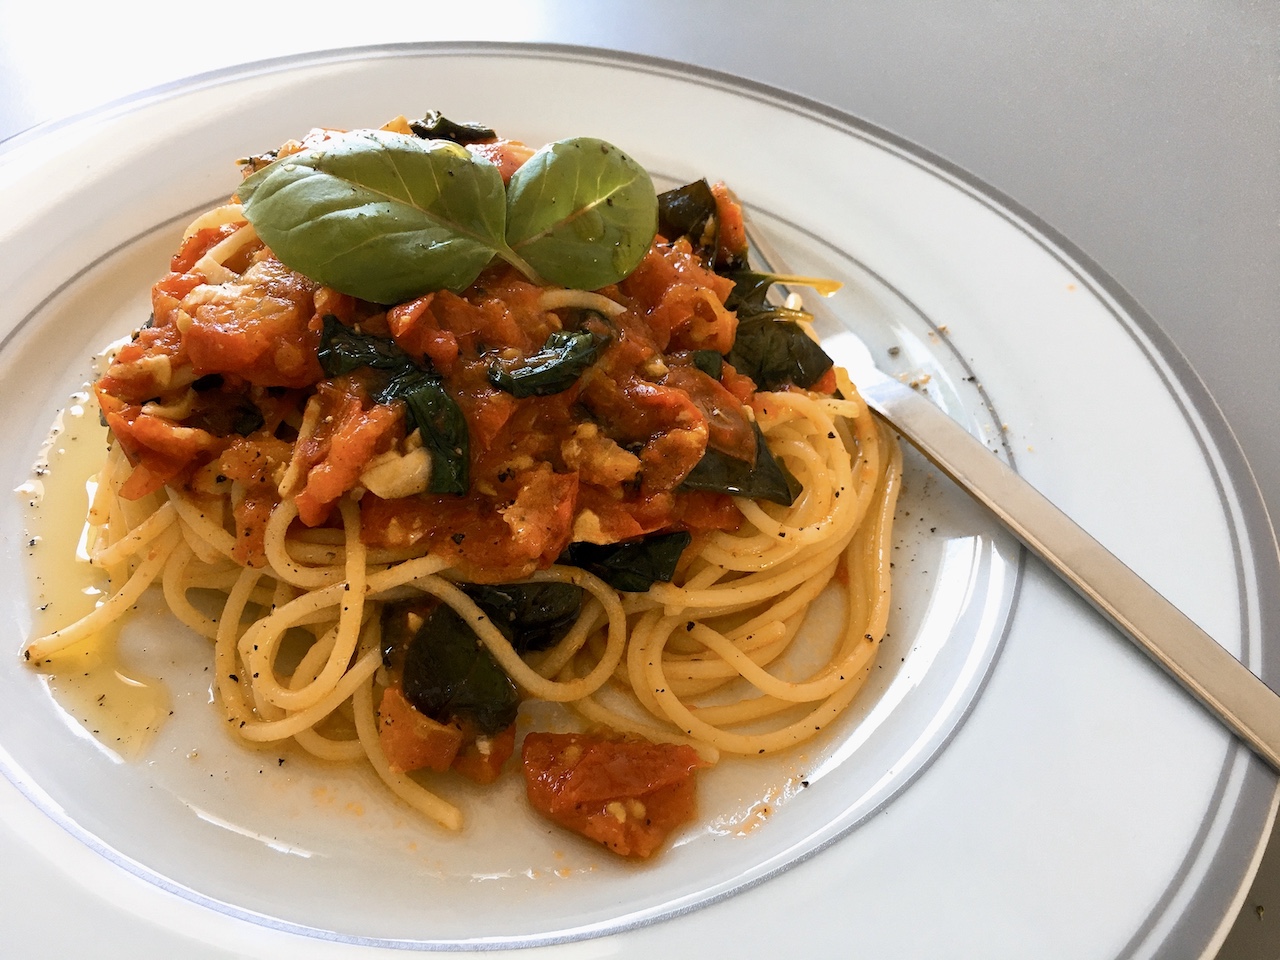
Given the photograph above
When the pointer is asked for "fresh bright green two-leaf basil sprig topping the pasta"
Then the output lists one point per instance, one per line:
(387, 217)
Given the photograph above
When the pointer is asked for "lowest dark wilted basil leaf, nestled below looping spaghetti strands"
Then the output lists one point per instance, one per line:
(450, 674)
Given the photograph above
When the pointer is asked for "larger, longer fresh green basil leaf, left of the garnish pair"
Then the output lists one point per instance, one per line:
(381, 216)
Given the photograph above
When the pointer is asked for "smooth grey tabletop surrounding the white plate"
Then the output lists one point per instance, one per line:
(1148, 134)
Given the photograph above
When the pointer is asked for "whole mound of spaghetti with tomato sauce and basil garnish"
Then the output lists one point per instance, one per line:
(427, 424)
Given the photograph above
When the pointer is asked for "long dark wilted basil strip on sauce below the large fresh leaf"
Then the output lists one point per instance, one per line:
(428, 408)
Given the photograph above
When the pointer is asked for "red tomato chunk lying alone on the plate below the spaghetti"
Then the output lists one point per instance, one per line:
(624, 793)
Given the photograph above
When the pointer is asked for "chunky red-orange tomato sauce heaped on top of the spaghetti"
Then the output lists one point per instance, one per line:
(601, 461)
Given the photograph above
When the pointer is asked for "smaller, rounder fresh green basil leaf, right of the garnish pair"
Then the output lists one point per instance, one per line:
(582, 213)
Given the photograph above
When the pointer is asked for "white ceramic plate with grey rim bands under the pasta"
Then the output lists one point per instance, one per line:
(1018, 774)
